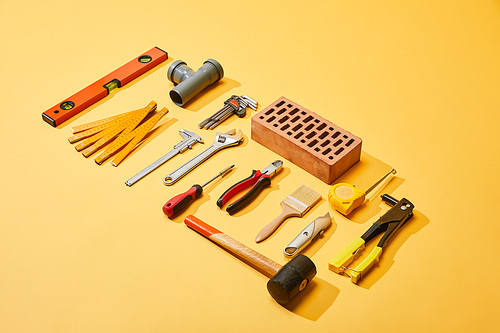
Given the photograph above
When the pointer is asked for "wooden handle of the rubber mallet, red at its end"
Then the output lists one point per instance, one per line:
(263, 264)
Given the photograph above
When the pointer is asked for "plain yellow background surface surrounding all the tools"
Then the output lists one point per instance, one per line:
(418, 81)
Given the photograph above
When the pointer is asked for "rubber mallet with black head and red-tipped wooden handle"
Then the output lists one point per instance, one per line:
(286, 281)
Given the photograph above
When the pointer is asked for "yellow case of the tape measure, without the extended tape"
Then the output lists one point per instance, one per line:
(345, 197)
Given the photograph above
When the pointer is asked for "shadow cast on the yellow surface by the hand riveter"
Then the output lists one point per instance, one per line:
(412, 226)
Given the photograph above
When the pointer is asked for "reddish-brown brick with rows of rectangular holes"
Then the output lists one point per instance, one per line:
(311, 142)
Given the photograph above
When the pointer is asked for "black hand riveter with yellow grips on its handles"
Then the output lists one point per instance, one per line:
(389, 223)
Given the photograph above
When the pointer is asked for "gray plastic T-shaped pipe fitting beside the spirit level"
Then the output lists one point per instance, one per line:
(190, 83)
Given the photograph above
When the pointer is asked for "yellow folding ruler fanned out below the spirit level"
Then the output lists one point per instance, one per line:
(122, 133)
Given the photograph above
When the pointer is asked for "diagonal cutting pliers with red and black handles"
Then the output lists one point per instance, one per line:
(259, 180)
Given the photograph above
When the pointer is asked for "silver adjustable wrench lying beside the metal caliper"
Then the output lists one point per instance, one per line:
(222, 140)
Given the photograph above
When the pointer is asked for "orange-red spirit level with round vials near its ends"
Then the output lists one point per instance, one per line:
(101, 88)
